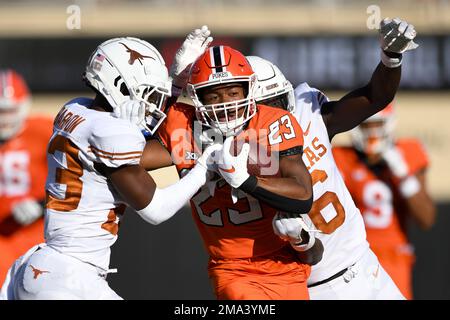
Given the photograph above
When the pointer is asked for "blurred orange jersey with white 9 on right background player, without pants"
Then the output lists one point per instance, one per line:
(374, 195)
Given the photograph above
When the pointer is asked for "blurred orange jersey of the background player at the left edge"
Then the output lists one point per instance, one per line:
(23, 165)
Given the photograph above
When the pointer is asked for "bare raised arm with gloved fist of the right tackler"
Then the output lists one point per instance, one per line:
(396, 37)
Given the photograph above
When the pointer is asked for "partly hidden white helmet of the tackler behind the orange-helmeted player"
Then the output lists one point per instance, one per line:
(273, 87)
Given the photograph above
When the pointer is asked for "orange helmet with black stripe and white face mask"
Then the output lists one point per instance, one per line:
(217, 66)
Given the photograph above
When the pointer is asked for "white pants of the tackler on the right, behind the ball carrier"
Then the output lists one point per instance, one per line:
(365, 280)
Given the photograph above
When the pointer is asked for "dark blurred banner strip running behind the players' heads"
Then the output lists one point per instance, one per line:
(327, 62)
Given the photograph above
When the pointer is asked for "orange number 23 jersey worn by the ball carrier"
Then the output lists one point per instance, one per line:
(232, 230)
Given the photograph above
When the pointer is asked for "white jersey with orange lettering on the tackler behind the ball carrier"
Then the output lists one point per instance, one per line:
(333, 211)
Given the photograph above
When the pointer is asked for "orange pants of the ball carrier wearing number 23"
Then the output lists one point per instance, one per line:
(278, 276)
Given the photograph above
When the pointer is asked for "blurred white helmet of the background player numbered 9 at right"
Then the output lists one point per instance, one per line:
(376, 138)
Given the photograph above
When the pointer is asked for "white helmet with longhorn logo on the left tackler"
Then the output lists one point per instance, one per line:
(121, 69)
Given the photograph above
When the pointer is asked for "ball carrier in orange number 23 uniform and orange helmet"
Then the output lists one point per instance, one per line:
(235, 214)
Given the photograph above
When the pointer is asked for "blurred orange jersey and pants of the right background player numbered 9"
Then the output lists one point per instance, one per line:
(383, 209)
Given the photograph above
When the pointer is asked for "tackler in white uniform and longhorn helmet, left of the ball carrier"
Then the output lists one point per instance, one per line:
(94, 171)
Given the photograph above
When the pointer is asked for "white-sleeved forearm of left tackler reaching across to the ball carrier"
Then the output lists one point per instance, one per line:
(168, 201)
